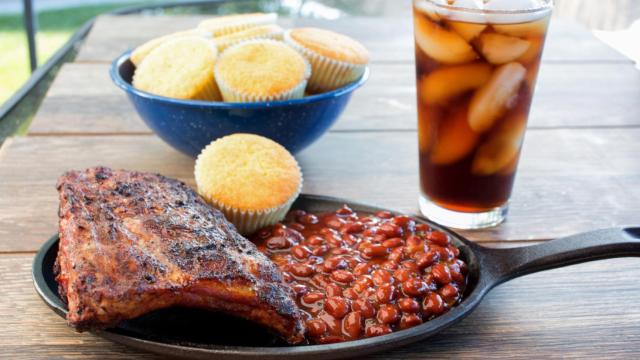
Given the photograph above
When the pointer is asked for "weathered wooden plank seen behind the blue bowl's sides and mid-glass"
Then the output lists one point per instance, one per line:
(568, 95)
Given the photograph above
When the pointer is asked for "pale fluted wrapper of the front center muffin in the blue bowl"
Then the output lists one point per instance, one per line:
(233, 95)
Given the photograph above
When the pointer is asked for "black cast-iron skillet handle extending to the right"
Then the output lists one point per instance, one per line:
(505, 264)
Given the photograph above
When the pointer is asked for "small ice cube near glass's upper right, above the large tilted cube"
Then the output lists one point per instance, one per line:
(500, 49)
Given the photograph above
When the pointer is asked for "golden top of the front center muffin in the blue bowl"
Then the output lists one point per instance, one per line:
(261, 67)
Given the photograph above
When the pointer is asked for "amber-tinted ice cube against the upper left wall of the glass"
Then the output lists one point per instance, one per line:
(440, 44)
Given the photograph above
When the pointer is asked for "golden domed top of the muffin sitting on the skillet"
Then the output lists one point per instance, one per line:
(247, 172)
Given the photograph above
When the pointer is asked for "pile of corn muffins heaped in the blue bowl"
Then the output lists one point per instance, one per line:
(247, 58)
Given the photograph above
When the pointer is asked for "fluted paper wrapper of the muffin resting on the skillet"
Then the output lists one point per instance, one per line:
(248, 221)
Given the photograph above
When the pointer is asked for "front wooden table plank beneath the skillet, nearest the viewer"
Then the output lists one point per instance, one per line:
(583, 311)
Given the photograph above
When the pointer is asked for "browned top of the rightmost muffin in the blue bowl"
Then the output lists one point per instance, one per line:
(330, 44)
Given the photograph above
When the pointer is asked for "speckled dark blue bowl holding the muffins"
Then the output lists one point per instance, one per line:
(190, 125)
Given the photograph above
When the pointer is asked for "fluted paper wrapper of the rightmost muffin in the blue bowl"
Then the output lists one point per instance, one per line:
(326, 74)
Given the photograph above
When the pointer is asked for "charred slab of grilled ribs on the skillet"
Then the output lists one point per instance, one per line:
(133, 242)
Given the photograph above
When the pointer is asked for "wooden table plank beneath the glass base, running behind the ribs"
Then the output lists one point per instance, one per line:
(569, 180)
